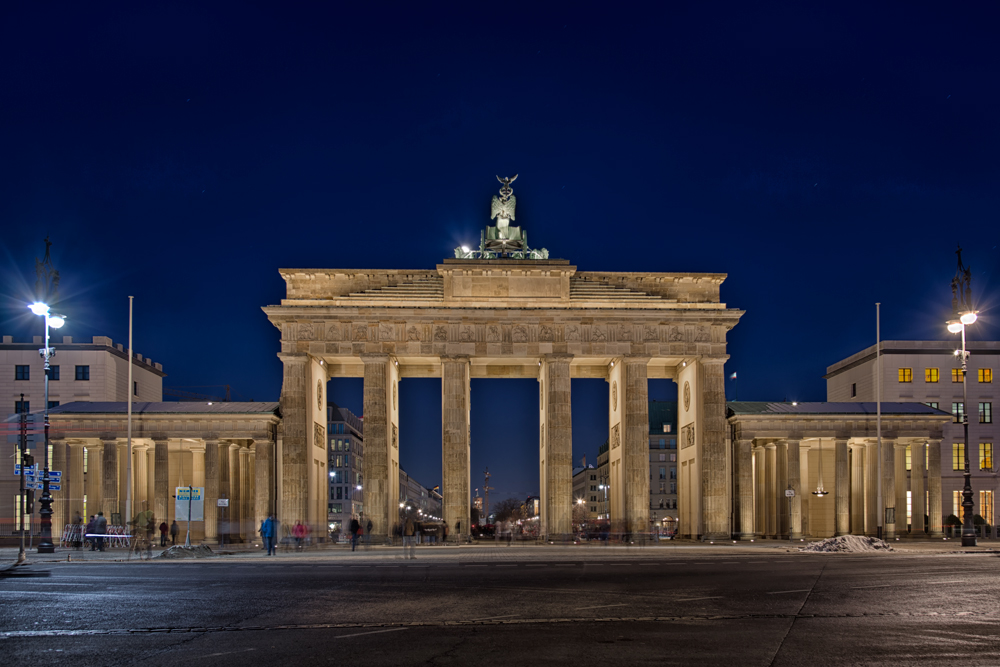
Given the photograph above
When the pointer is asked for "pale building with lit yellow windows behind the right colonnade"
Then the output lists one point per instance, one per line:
(929, 372)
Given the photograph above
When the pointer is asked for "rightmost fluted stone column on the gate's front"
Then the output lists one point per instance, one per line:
(715, 471)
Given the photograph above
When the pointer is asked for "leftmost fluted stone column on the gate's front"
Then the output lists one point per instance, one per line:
(295, 455)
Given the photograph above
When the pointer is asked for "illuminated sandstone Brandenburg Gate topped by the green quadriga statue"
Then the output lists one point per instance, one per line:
(507, 311)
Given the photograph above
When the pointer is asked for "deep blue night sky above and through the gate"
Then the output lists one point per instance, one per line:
(182, 152)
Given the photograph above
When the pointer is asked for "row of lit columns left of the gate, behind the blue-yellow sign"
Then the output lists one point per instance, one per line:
(240, 471)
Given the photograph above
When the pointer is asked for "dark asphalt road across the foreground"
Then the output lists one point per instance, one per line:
(494, 606)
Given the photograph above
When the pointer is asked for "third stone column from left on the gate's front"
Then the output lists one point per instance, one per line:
(455, 409)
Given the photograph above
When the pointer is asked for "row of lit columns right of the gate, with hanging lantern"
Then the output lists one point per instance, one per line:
(768, 468)
